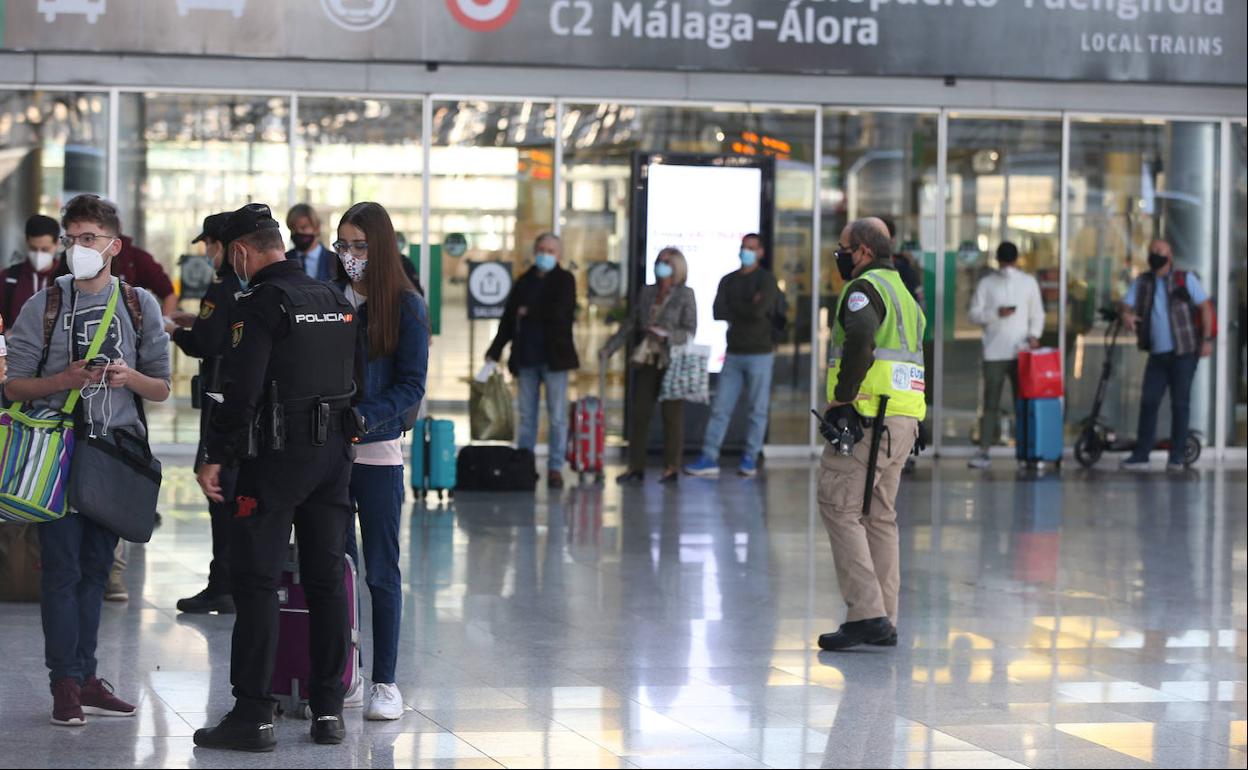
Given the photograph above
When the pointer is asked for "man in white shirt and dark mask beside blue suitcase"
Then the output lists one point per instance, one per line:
(1008, 305)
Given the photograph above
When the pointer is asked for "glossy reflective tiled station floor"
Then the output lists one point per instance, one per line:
(1091, 622)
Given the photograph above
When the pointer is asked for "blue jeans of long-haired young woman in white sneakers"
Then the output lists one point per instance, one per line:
(378, 495)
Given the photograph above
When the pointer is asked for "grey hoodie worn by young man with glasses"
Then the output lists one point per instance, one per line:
(84, 313)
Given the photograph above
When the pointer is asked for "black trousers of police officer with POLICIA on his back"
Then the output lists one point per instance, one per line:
(306, 487)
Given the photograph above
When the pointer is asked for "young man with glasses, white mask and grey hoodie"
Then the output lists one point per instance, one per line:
(77, 552)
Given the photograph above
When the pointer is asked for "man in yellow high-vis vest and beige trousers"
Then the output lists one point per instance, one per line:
(878, 351)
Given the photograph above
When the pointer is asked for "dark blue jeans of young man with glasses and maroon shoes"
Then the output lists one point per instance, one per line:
(78, 556)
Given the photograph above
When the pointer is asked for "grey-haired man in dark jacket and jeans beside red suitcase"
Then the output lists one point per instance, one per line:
(537, 323)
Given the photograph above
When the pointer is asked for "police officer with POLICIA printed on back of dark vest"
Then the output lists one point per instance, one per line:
(289, 381)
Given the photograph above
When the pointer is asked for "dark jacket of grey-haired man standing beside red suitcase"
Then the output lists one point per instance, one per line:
(556, 311)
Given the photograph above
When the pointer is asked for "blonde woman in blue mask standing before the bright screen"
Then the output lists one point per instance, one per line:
(666, 315)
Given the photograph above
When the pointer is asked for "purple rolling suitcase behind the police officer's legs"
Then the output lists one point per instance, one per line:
(294, 665)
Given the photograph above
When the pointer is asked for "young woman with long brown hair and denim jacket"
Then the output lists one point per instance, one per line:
(399, 351)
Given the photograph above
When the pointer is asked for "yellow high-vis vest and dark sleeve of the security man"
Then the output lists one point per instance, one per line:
(898, 370)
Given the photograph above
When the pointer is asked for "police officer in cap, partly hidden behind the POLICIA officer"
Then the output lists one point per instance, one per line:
(208, 339)
